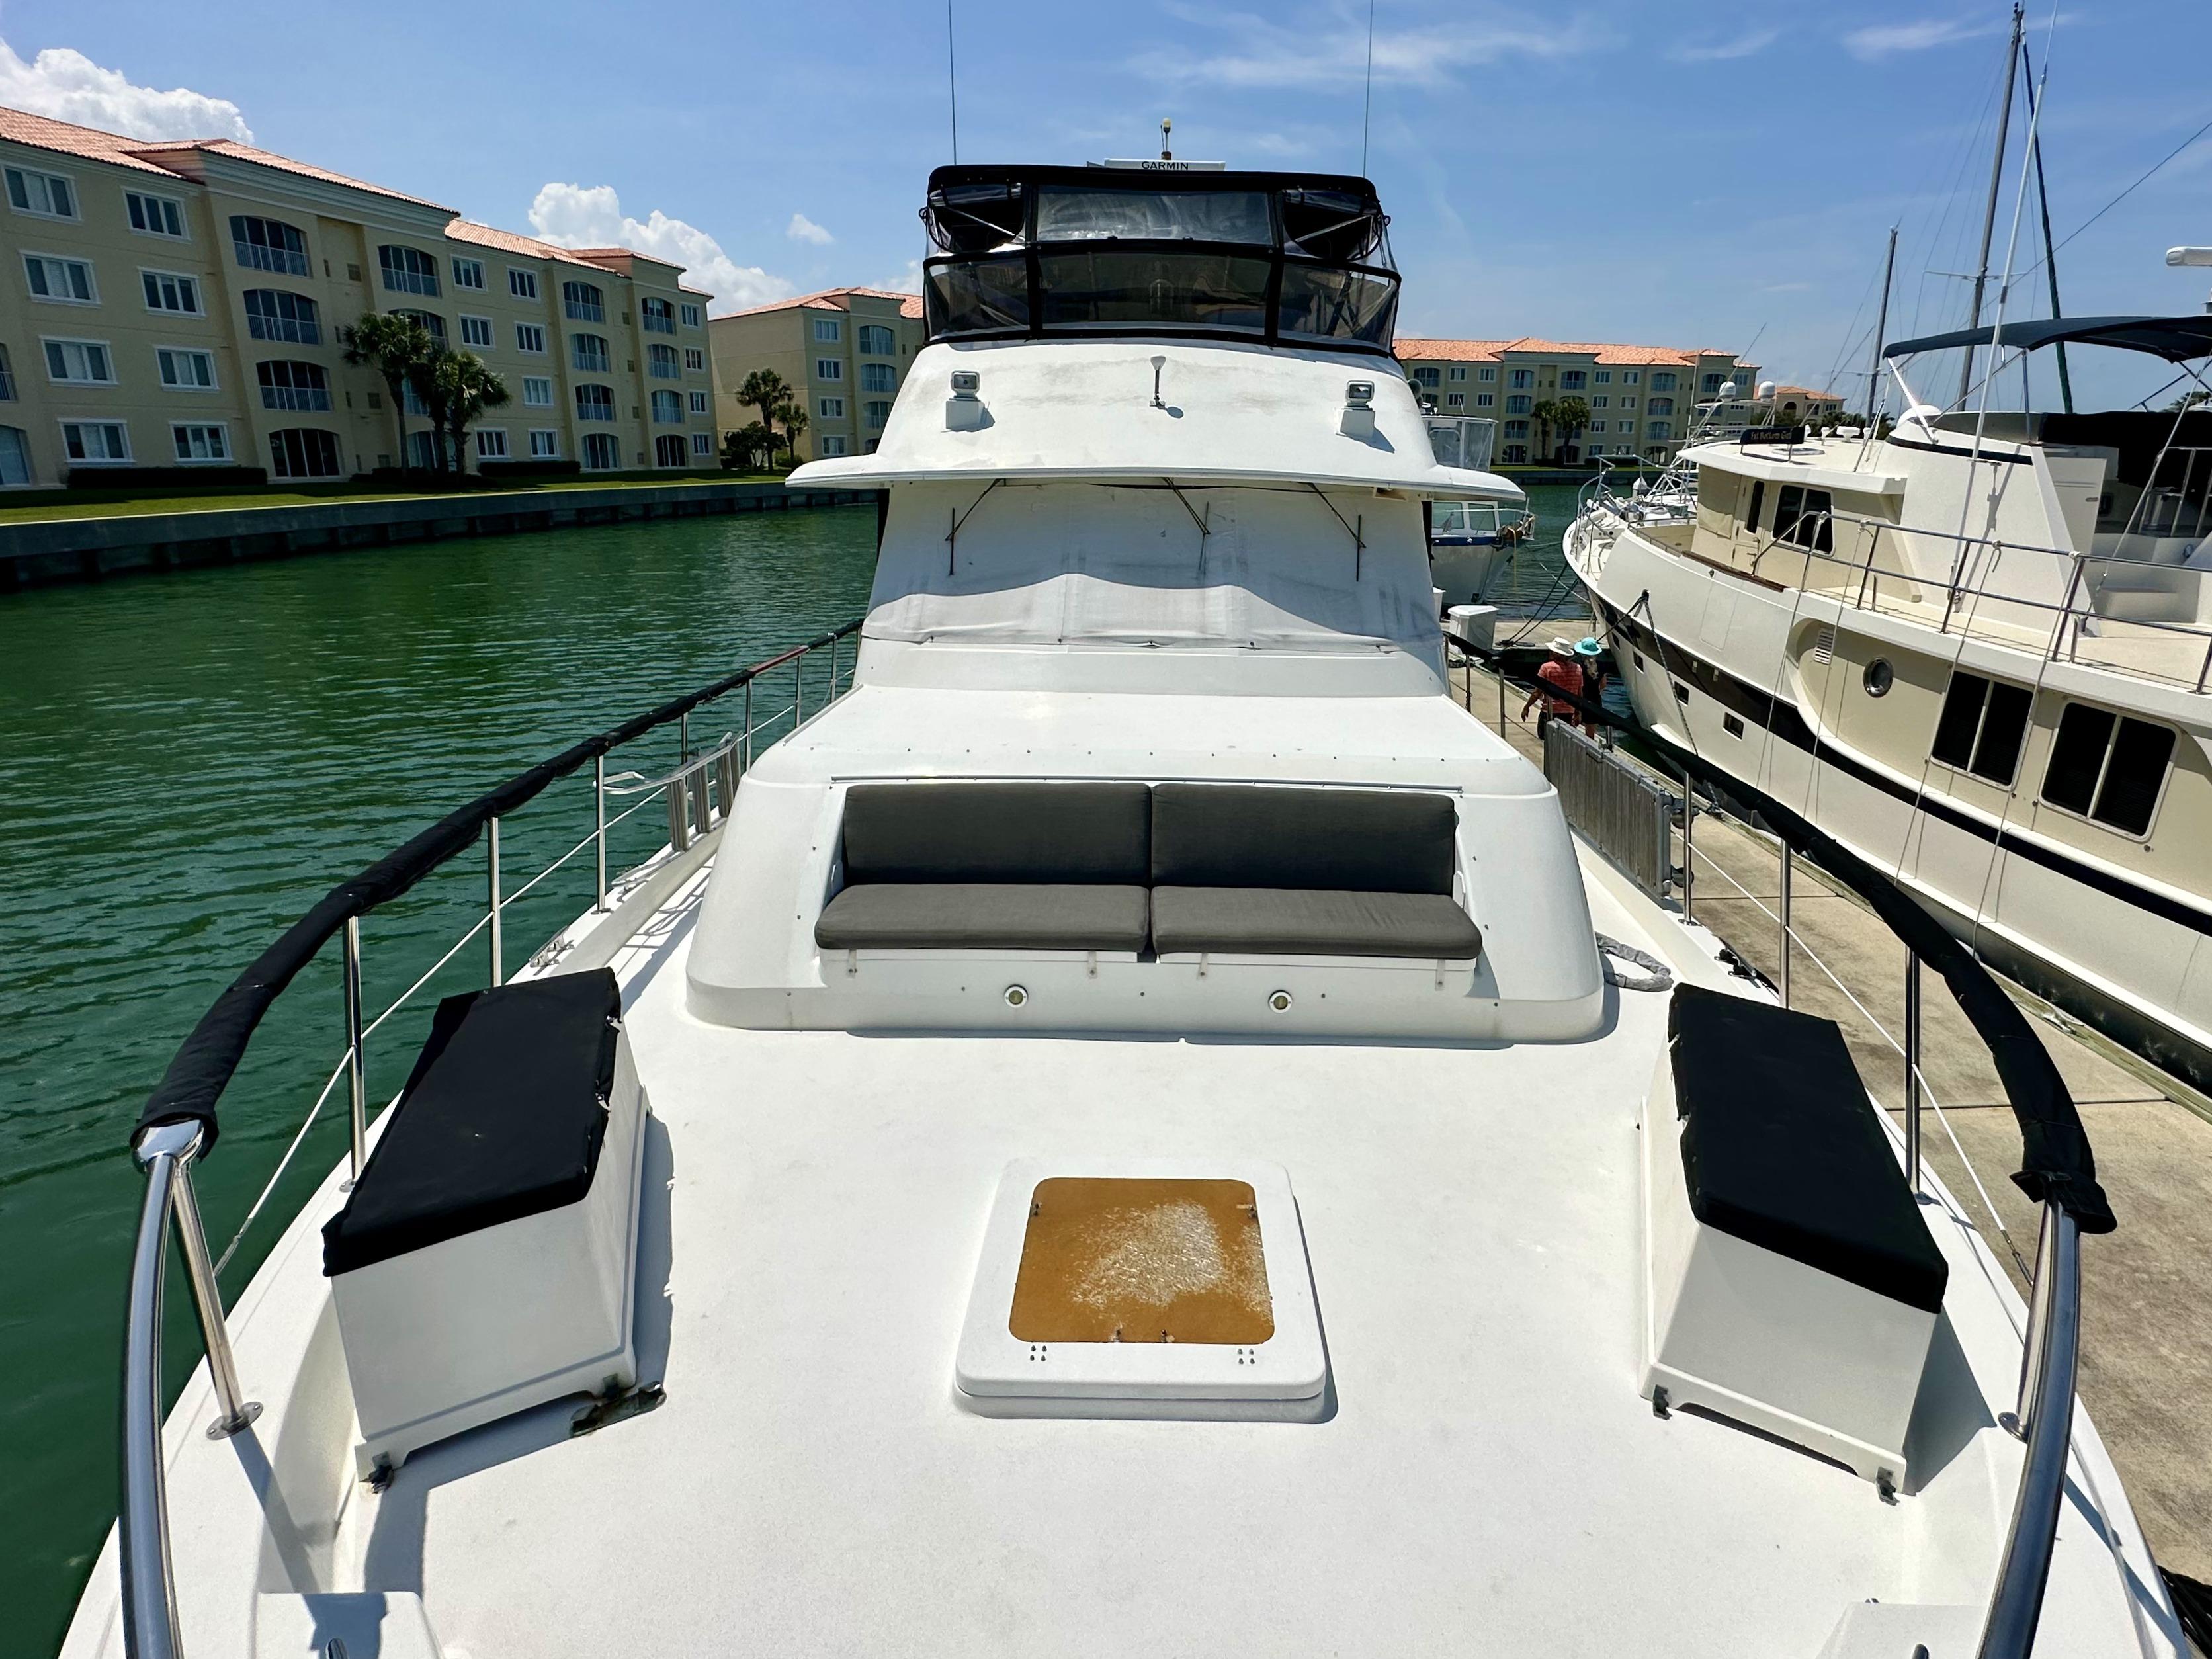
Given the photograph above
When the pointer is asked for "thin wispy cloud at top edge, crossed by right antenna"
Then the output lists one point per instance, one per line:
(1333, 52)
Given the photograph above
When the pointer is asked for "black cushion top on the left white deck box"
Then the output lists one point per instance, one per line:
(501, 1120)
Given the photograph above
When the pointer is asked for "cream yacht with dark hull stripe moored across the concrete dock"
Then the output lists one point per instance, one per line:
(1976, 651)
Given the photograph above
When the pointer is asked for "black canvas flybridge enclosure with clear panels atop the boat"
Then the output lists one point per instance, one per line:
(1280, 258)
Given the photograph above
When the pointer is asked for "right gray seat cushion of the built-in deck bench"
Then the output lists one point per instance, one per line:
(1260, 921)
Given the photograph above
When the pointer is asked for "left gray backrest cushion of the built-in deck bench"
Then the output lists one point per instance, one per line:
(999, 833)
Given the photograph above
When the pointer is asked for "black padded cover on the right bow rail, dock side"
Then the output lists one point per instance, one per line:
(2056, 1160)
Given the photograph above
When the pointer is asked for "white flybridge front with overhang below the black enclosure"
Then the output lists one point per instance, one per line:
(1224, 415)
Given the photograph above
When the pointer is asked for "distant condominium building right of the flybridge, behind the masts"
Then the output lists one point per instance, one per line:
(1645, 399)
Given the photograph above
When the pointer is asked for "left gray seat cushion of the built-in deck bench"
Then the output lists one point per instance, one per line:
(983, 917)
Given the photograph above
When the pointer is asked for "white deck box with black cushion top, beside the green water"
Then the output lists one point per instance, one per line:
(488, 1255)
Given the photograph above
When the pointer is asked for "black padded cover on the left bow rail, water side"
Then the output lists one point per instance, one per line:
(205, 1063)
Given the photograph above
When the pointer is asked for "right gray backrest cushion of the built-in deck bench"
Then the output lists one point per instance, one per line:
(1233, 835)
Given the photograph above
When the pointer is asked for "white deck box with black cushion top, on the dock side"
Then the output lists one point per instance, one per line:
(1791, 1282)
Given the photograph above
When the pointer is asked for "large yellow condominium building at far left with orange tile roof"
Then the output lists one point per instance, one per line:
(180, 306)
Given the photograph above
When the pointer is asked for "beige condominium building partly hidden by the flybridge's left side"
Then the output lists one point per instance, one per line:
(844, 353)
